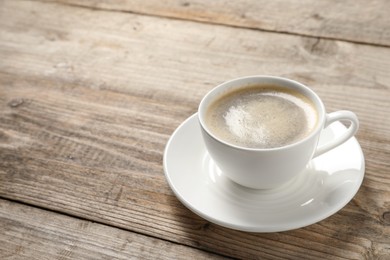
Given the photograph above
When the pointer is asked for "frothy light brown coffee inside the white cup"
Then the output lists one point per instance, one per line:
(261, 117)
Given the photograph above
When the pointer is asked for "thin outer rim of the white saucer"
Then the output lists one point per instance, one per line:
(257, 228)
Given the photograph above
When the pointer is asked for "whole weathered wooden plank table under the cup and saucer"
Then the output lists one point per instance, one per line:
(91, 91)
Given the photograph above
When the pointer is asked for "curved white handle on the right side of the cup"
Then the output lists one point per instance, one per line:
(351, 130)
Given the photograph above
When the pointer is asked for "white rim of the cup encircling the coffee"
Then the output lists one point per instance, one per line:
(318, 103)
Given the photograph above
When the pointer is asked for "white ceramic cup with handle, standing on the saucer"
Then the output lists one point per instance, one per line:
(270, 168)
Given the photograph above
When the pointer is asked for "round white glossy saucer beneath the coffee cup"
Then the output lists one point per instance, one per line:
(327, 185)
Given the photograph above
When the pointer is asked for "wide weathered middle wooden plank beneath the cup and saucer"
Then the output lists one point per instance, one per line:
(89, 99)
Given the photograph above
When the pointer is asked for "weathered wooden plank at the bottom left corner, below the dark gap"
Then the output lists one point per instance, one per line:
(31, 233)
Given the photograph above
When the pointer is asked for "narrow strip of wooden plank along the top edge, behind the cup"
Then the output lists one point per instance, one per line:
(354, 20)
